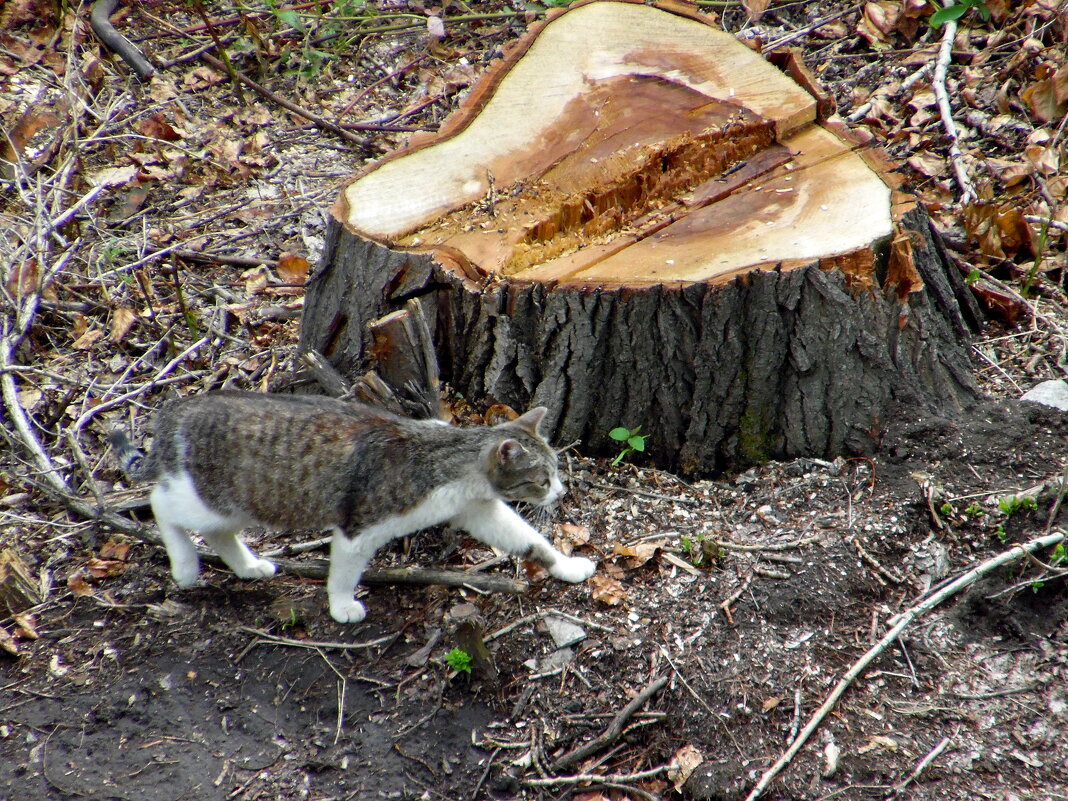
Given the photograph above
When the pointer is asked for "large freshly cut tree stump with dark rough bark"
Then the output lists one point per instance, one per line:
(634, 219)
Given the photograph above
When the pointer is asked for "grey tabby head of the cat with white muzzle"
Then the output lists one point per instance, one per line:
(523, 467)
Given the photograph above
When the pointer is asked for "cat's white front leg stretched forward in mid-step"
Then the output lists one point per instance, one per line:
(498, 525)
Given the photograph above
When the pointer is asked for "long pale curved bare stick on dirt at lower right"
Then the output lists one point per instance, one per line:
(902, 623)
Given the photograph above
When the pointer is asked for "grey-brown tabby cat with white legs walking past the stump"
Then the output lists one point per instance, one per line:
(225, 461)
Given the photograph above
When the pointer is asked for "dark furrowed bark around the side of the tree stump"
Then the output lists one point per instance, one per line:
(775, 365)
